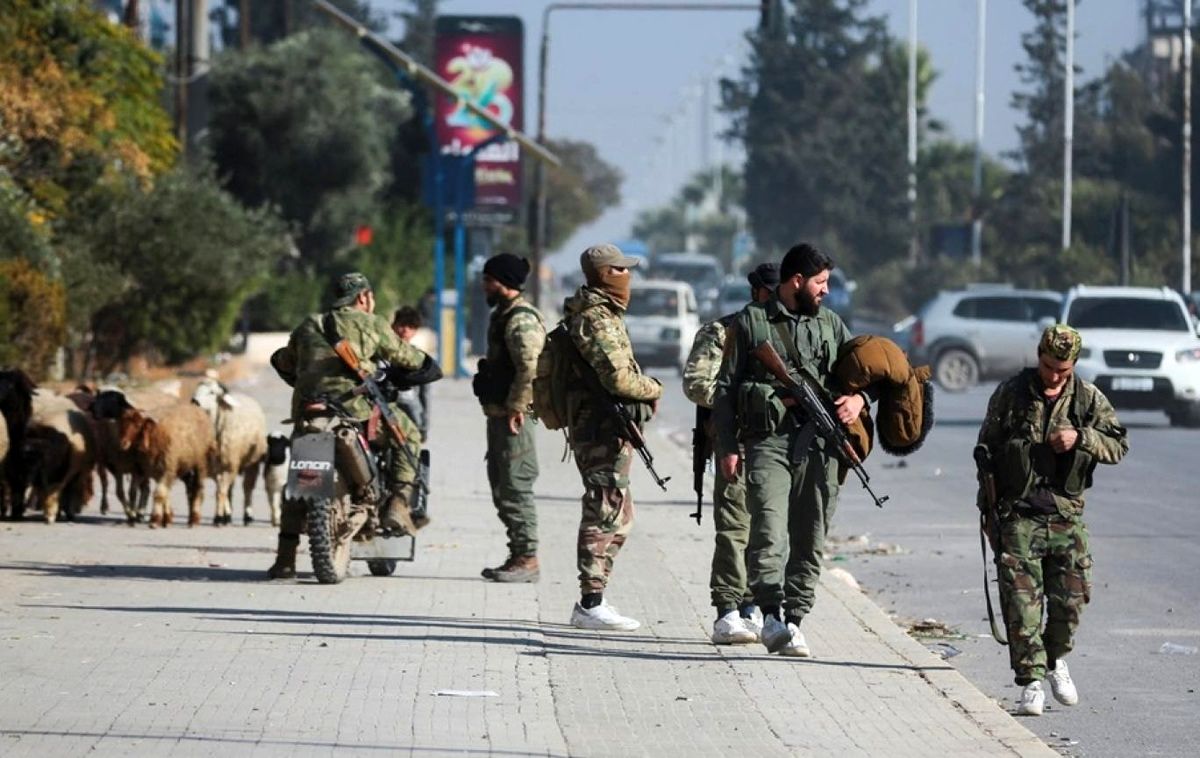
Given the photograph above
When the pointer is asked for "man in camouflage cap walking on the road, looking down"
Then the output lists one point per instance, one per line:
(1047, 430)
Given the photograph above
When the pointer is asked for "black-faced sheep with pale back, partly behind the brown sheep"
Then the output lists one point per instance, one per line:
(107, 408)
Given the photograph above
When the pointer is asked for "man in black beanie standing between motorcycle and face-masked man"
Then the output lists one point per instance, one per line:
(505, 387)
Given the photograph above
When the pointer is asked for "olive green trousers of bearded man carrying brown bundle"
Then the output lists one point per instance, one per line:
(791, 509)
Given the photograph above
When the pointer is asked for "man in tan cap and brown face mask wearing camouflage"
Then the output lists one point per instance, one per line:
(596, 324)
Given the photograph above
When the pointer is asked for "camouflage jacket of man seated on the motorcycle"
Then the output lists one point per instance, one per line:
(311, 368)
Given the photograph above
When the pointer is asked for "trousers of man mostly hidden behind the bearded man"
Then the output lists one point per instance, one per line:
(728, 581)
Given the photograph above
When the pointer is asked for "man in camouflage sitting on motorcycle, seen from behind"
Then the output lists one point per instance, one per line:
(313, 370)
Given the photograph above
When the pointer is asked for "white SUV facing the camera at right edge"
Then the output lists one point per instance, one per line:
(1141, 348)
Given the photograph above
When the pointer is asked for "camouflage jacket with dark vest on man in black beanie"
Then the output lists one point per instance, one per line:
(515, 341)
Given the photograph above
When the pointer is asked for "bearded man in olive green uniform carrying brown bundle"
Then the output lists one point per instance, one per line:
(791, 474)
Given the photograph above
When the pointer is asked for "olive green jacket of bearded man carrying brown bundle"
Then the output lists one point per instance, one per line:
(817, 340)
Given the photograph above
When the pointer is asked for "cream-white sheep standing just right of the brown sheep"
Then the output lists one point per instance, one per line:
(241, 429)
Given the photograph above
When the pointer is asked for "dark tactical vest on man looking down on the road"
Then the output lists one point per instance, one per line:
(1027, 462)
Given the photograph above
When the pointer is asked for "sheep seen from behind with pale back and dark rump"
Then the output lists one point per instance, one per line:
(59, 455)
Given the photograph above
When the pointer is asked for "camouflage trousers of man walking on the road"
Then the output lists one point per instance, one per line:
(1045, 563)
